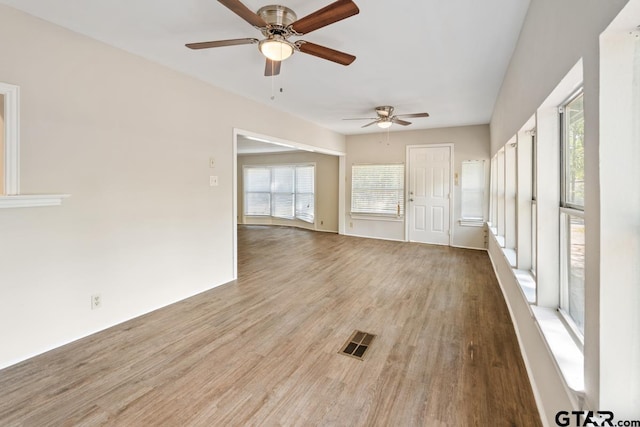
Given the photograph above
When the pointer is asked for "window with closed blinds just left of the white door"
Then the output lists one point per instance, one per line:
(377, 189)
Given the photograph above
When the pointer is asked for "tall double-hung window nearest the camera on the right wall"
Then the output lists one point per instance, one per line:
(572, 228)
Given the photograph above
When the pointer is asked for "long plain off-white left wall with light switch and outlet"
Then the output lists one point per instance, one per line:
(130, 141)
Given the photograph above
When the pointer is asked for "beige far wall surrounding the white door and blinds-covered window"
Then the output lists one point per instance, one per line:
(470, 143)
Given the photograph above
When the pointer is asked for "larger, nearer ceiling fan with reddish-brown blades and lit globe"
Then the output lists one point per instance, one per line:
(278, 23)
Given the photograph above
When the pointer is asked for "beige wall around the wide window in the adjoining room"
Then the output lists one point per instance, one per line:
(326, 188)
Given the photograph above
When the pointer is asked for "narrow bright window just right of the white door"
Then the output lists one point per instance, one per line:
(472, 190)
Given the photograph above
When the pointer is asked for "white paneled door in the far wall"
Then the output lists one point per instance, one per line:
(429, 194)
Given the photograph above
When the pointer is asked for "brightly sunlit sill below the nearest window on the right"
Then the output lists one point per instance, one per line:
(565, 351)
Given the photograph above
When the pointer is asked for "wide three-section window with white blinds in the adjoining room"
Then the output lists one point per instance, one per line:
(281, 191)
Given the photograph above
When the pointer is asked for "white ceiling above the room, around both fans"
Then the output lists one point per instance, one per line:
(447, 58)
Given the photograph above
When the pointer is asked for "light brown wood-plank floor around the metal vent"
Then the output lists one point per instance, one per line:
(264, 349)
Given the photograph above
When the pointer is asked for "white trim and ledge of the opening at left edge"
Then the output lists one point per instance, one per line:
(12, 197)
